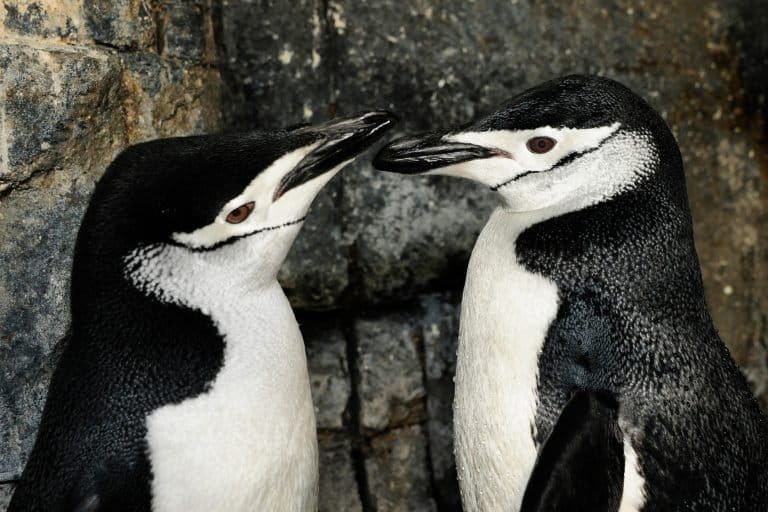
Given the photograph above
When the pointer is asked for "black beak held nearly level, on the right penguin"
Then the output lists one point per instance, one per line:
(427, 152)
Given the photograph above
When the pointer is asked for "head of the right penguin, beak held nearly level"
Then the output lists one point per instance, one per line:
(565, 144)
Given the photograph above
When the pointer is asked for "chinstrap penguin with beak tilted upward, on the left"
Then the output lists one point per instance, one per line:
(183, 385)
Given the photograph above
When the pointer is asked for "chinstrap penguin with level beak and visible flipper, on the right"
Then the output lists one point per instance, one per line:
(589, 374)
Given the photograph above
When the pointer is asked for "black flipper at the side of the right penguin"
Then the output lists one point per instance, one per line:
(581, 465)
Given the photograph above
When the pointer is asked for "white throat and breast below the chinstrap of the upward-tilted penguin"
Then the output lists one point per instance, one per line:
(249, 442)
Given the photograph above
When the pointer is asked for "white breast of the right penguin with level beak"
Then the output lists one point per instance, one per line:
(505, 314)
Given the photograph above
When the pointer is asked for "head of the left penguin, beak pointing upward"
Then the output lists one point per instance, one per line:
(182, 209)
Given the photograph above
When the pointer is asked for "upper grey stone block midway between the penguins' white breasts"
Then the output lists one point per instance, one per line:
(391, 383)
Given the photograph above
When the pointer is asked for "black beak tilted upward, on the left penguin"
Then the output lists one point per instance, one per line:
(340, 140)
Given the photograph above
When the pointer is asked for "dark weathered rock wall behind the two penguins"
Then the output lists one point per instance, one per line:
(377, 271)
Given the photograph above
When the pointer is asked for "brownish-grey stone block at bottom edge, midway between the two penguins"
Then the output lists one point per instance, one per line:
(398, 472)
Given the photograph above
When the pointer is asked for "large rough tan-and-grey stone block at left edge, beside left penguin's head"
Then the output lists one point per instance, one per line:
(57, 102)
